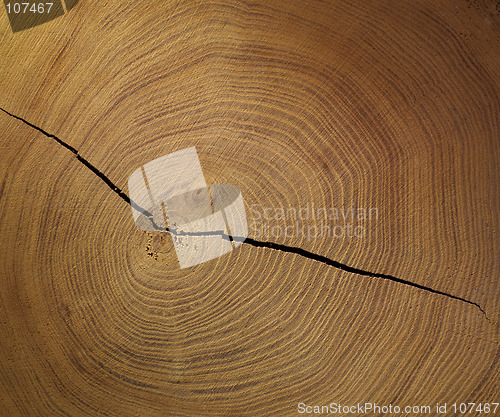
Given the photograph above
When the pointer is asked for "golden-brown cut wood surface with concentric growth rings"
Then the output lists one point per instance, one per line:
(389, 104)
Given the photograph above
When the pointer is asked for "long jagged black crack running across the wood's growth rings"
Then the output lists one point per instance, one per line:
(256, 243)
